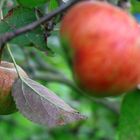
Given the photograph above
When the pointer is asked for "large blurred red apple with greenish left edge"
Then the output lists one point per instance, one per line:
(104, 45)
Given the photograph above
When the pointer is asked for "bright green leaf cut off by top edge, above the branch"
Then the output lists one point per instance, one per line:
(31, 3)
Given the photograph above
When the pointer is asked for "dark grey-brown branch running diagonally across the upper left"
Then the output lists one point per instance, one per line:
(10, 35)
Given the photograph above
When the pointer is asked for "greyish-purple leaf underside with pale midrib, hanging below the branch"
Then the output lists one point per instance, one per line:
(40, 105)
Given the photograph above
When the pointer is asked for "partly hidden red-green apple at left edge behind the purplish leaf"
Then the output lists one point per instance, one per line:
(8, 75)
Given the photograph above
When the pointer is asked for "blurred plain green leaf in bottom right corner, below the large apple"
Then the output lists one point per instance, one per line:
(129, 125)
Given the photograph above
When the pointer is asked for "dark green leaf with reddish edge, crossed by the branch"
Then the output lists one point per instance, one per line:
(20, 17)
